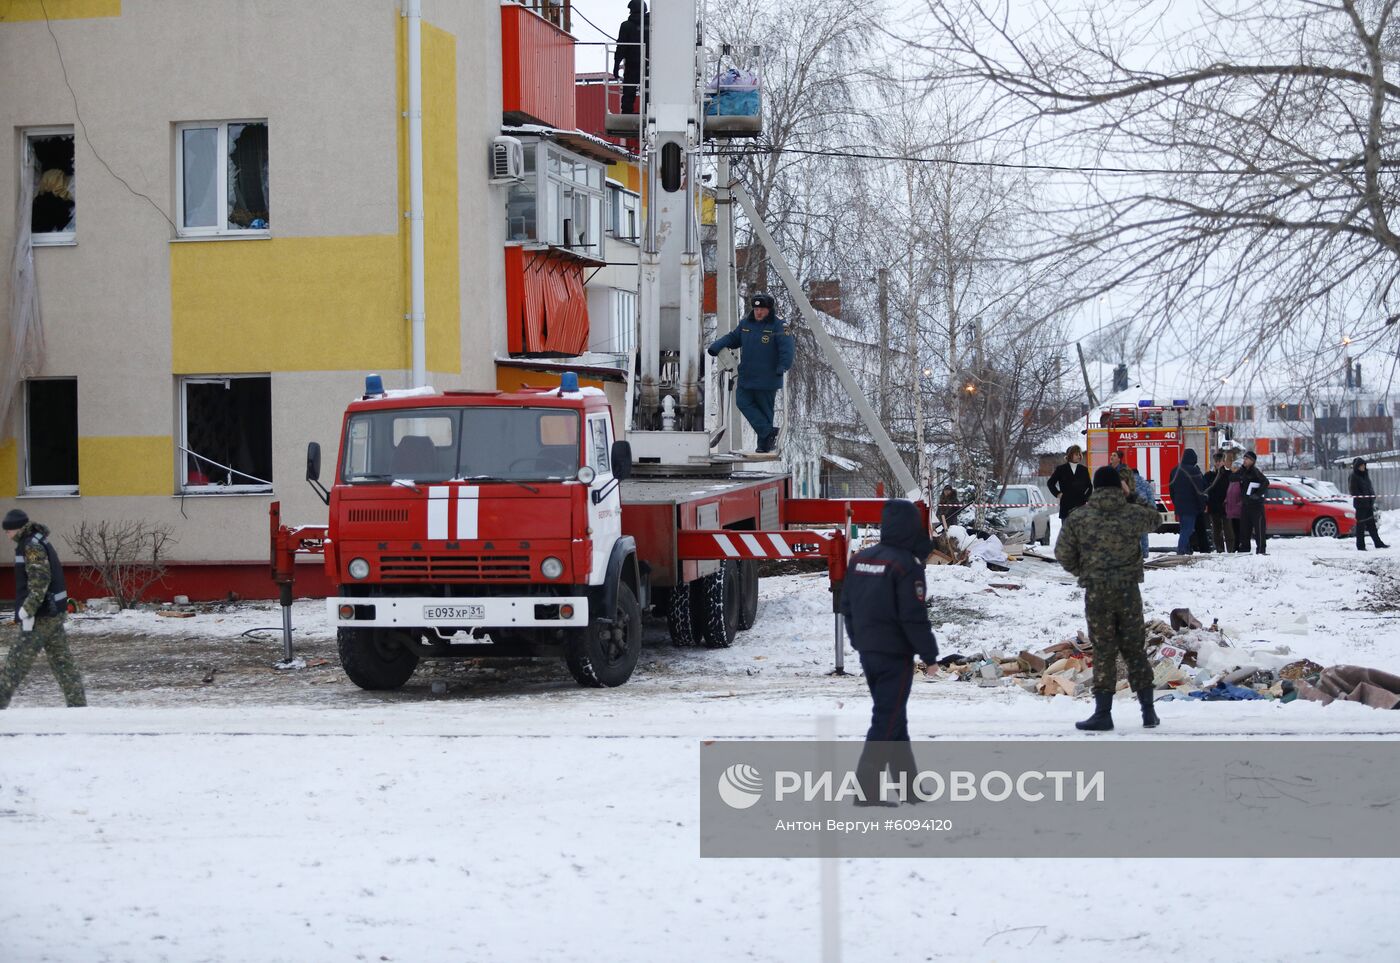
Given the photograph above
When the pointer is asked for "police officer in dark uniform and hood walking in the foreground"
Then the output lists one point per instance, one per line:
(883, 603)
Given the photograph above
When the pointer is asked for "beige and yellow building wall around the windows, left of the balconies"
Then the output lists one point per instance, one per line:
(318, 304)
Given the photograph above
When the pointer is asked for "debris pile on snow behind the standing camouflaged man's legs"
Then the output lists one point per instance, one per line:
(1189, 661)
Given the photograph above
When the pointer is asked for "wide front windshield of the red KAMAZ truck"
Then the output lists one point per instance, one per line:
(505, 444)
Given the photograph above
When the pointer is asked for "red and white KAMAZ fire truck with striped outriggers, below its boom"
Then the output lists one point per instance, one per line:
(488, 524)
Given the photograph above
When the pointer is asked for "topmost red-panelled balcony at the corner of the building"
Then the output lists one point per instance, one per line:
(538, 64)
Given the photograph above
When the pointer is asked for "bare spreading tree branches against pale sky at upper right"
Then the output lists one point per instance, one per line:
(1244, 163)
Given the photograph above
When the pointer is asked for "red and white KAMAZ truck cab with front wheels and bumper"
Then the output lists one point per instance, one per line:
(481, 523)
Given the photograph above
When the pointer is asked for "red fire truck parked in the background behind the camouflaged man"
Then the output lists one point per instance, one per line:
(1151, 439)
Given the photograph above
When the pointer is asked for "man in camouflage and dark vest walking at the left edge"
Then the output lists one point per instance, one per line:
(41, 605)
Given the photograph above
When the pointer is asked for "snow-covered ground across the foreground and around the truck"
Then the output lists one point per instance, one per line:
(290, 817)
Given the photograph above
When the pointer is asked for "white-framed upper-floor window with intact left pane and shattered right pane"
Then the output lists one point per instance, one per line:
(222, 180)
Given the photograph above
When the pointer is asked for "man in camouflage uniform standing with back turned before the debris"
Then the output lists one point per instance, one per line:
(1100, 547)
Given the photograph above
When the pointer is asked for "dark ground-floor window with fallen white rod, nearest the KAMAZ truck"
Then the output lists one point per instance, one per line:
(226, 435)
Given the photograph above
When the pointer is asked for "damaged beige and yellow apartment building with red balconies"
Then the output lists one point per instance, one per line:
(211, 250)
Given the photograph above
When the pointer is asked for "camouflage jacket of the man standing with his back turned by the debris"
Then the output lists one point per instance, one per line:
(1100, 544)
